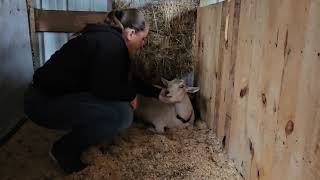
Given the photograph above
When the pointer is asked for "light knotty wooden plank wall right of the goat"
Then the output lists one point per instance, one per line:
(259, 73)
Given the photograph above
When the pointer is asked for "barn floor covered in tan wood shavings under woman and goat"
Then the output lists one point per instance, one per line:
(192, 153)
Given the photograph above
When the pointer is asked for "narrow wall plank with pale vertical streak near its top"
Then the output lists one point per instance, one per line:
(228, 47)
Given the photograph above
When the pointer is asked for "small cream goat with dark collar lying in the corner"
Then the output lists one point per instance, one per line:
(162, 115)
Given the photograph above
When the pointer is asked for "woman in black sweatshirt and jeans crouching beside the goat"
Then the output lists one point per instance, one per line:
(85, 87)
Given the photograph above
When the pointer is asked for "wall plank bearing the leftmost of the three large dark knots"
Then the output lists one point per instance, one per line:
(240, 145)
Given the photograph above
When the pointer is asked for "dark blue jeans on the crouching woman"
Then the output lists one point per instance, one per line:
(89, 119)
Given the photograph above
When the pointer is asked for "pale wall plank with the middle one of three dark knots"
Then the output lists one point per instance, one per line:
(259, 80)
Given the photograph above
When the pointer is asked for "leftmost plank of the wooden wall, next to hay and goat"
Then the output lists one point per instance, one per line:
(208, 42)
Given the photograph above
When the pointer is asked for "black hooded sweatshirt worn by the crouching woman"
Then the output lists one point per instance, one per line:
(97, 61)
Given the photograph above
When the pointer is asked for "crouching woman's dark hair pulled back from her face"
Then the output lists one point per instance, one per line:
(126, 18)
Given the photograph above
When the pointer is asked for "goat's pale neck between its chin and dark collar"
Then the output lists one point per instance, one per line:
(184, 108)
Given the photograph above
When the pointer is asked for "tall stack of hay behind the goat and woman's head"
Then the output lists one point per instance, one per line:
(168, 49)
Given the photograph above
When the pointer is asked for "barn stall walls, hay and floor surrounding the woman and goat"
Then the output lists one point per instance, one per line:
(254, 61)
